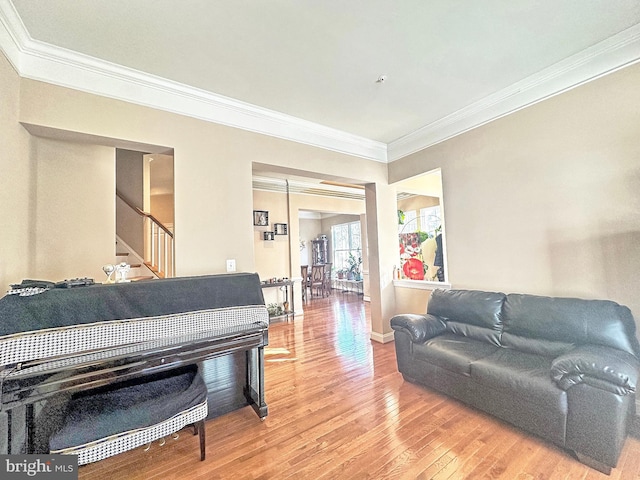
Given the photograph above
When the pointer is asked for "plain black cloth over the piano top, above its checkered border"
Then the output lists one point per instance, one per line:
(61, 307)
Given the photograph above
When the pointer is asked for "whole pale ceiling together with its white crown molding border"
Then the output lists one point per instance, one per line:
(449, 65)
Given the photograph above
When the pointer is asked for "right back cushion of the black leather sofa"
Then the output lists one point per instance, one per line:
(553, 325)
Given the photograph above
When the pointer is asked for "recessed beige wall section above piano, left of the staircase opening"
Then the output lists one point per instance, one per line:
(75, 227)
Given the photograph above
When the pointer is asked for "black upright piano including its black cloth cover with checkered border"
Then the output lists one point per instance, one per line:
(67, 340)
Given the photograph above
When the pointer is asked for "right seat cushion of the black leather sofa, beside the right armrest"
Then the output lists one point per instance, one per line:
(523, 374)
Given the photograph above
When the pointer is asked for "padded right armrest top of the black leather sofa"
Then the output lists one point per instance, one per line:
(601, 367)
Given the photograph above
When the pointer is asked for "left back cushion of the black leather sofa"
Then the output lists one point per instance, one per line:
(470, 313)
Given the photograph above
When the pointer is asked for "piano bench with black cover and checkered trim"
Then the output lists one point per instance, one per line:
(109, 420)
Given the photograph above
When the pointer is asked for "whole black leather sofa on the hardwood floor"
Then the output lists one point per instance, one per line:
(564, 369)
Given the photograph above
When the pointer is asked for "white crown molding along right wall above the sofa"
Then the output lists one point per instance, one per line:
(614, 53)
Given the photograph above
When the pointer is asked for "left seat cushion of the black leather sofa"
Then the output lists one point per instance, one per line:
(453, 352)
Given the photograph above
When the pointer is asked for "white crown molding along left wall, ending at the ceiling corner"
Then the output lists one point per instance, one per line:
(43, 62)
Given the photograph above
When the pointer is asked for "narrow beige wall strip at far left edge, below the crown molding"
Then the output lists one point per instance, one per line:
(17, 186)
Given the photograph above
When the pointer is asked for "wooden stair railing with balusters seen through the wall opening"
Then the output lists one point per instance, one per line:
(159, 254)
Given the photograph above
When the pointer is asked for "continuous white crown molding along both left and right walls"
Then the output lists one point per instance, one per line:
(40, 61)
